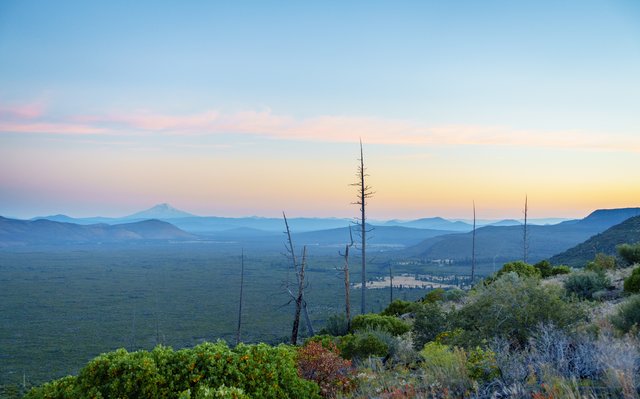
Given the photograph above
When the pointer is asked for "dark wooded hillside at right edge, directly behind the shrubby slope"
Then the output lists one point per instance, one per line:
(605, 242)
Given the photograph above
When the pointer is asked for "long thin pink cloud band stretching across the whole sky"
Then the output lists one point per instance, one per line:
(322, 128)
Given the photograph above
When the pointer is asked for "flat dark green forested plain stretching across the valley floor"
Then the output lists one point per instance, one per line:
(61, 307)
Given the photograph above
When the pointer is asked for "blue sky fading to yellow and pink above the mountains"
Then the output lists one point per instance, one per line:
(250, 108)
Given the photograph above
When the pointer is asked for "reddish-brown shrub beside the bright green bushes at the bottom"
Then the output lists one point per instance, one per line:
(326, 368)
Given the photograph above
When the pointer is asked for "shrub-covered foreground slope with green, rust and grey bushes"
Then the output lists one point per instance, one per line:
(573, 334)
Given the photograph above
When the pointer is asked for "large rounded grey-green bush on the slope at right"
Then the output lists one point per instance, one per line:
(510, 308)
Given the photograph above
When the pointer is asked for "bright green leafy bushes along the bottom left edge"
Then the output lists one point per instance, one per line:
(257, 370)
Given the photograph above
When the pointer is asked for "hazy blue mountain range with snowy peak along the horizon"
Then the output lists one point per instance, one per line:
(427, 238)
